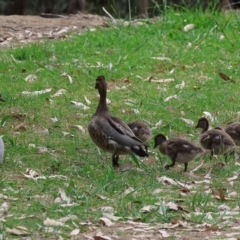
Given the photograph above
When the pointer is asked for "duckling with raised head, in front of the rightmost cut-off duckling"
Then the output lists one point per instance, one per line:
(216, 140)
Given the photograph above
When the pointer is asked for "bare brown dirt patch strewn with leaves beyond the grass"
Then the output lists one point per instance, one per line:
(25, 29)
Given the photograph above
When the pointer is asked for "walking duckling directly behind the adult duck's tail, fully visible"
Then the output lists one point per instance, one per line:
(178, 149)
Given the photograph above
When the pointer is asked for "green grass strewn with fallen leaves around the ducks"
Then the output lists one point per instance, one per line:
(196, 58)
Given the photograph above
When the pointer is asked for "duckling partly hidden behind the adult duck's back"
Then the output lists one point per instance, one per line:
(141, 130)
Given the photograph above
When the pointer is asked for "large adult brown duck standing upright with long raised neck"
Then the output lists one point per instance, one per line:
(111, 133)
